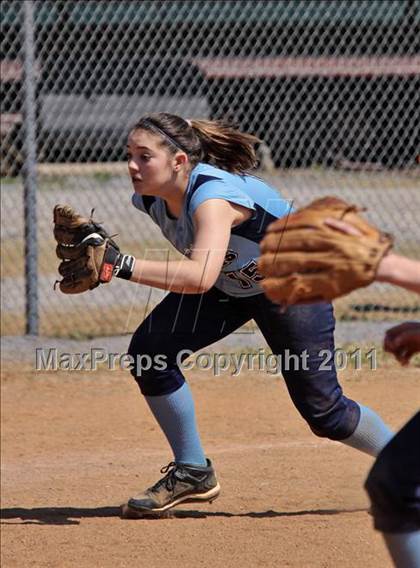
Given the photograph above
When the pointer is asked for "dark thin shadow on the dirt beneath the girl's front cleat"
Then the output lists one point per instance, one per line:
(68, 515)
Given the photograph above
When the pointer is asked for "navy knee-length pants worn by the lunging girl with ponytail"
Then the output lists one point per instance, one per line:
(188, 321)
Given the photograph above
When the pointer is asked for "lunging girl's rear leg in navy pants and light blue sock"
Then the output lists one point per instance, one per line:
(308, 332)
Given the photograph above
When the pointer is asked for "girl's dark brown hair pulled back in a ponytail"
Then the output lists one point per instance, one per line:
(214, 142)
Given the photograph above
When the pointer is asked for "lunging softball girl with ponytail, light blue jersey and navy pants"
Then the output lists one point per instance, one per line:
(190, 178)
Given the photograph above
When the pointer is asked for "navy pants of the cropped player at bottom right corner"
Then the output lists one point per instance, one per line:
(393, 483)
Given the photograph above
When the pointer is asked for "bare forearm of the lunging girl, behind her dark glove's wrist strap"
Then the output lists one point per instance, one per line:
(182, 276)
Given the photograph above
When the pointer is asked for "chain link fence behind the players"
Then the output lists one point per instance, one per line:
(331, 87)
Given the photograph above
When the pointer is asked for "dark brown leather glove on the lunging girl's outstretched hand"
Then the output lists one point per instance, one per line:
(88, 253)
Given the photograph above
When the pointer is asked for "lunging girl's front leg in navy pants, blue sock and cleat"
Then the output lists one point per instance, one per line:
(179, 322)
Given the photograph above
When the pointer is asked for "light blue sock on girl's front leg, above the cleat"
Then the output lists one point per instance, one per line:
(176, 416)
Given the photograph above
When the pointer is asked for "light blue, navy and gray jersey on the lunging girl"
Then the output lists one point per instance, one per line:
(239, 276)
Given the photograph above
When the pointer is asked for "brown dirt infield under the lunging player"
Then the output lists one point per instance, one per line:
(77, 445)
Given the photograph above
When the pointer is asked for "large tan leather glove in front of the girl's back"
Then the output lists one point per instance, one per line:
(304, 259)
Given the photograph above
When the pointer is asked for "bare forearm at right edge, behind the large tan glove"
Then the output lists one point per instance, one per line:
(401, 271)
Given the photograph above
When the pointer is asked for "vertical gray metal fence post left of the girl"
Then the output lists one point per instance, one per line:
(30, 173)
